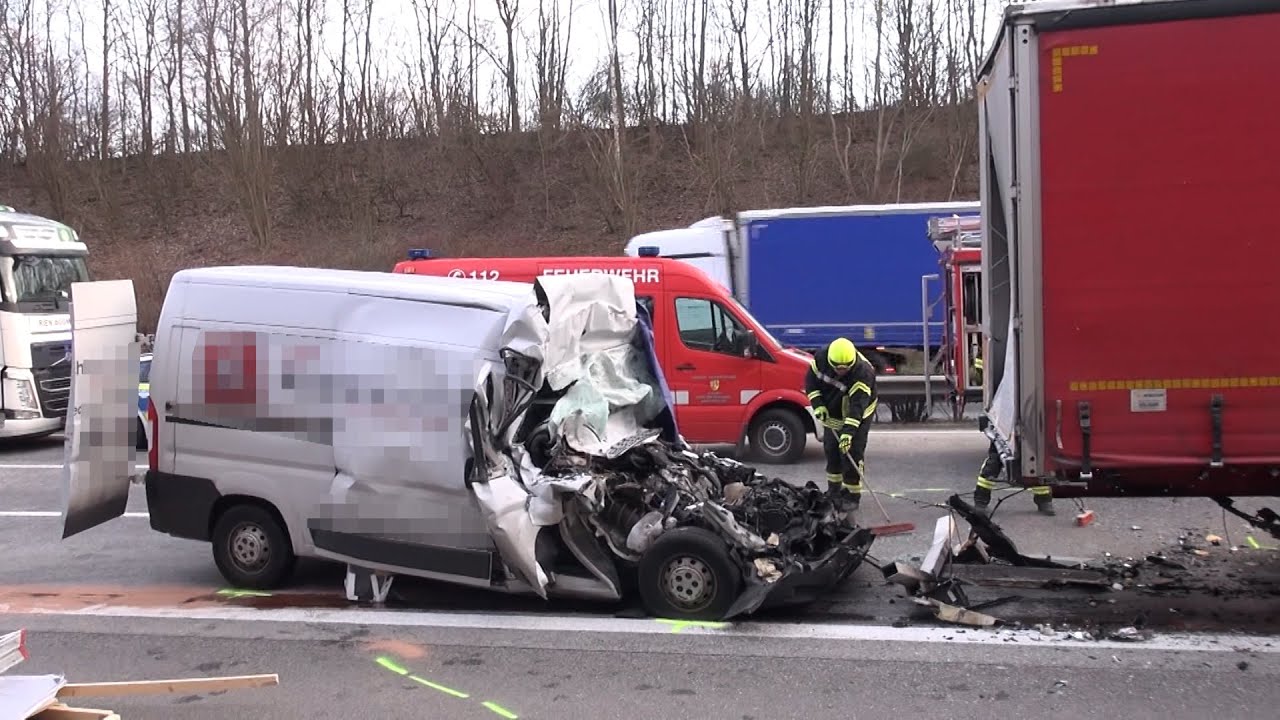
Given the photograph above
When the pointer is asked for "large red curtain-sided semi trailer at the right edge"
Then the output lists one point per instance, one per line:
(1131, 168)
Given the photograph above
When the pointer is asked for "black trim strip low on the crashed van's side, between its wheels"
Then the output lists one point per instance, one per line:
(415, 557)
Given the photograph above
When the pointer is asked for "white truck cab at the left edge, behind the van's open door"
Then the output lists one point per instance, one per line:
(39, 262)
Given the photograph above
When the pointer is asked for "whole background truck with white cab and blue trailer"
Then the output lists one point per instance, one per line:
(813, 275)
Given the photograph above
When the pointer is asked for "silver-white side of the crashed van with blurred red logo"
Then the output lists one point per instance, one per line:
(354, 434)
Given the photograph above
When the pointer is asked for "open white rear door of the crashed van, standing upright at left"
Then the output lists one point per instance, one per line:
(103, 405)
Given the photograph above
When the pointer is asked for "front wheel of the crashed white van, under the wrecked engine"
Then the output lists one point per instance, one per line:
(688, 576)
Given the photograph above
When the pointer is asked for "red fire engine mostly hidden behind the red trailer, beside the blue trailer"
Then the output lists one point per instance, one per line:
(959, 244)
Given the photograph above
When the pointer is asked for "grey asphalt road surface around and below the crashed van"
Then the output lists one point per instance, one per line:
(124, 603)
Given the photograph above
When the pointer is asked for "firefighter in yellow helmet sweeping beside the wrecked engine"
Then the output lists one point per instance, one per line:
(842, 389)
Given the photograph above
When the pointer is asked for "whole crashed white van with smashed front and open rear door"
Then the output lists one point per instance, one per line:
(509, 436)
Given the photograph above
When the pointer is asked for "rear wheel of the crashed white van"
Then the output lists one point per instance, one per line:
(252, 548)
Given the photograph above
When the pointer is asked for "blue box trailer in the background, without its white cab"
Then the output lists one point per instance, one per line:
(813, 275)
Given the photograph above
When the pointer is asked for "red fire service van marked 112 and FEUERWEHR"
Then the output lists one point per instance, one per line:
(734, 382)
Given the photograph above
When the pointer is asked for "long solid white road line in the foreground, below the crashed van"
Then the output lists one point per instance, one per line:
(1220, 644)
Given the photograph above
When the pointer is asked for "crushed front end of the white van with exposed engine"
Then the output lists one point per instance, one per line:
(584, 480)
